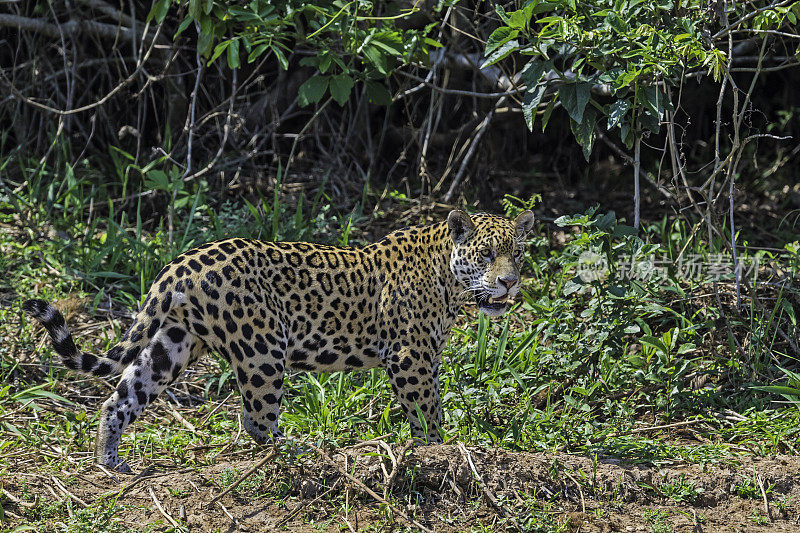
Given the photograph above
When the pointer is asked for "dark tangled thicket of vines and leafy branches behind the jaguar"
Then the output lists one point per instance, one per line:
(417, 86)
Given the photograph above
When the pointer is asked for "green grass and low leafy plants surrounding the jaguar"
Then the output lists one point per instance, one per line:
(580, 365)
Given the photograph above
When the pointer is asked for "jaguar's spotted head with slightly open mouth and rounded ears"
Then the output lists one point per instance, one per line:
(486, 256)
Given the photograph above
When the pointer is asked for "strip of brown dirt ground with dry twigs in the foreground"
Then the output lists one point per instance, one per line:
(452, 487)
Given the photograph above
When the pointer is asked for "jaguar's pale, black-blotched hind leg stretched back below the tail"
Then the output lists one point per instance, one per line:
(158, 365)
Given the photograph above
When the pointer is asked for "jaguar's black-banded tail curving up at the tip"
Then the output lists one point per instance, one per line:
(75, 359)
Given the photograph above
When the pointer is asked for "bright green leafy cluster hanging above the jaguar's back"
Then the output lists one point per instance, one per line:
(347, 41)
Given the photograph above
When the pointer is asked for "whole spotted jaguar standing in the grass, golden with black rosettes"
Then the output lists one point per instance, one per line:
(267, 307)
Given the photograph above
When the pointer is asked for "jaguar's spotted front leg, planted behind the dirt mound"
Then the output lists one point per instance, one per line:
(414, 377)
